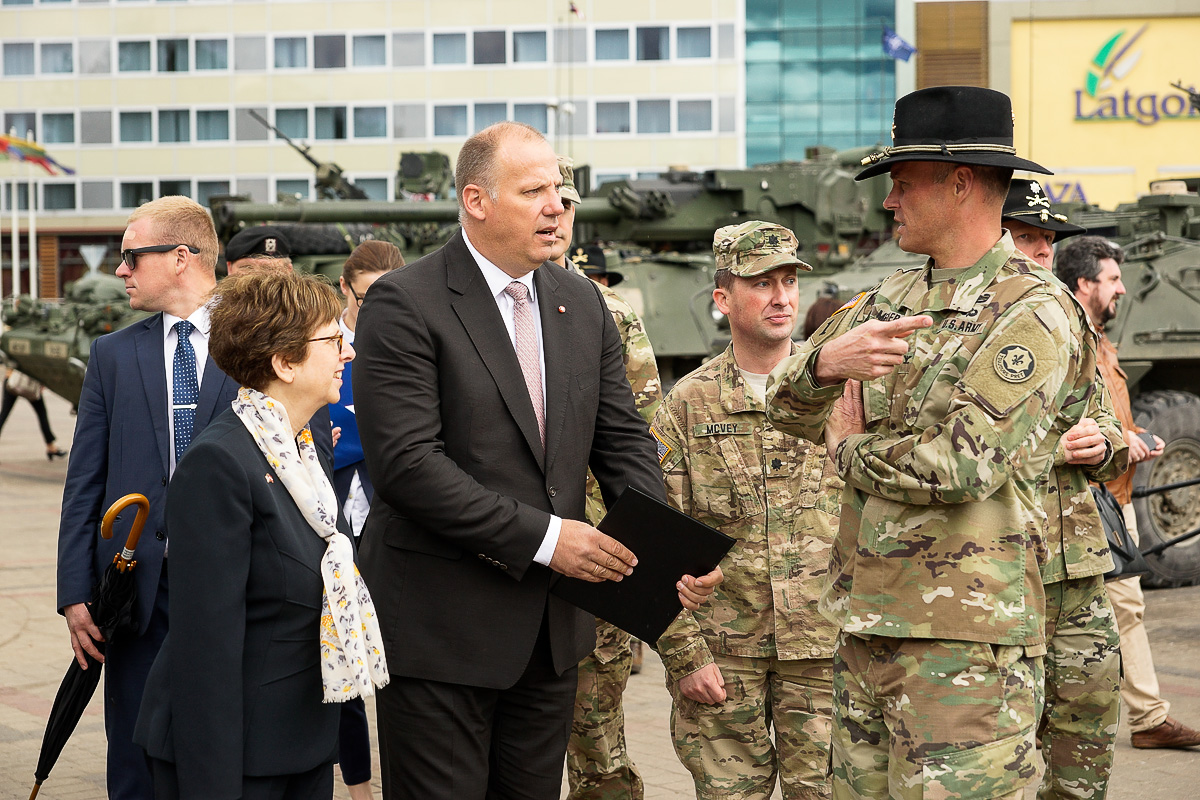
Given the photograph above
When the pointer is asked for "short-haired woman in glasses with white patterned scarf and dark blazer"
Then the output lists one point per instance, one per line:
(272, 627)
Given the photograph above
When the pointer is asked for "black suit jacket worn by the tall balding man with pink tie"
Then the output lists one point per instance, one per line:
(464, 489)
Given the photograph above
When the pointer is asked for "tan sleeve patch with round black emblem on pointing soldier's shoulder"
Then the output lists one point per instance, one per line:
(1006, 372)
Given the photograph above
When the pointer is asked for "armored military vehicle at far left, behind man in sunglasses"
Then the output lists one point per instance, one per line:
(51, 340)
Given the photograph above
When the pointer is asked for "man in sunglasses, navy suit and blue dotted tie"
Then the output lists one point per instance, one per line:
(129, 438)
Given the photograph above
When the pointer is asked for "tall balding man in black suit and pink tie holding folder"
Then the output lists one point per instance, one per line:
(481, 483)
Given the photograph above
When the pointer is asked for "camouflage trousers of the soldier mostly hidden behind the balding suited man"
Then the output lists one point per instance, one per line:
(598, 765)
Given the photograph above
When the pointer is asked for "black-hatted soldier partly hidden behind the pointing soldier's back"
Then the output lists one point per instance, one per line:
(1083, 664)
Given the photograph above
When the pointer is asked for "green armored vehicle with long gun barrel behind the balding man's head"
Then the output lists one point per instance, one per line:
(657, 233)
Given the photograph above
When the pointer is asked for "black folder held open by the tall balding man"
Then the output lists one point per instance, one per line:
(668, 545)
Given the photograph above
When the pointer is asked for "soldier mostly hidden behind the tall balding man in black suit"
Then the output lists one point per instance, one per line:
(598, 763)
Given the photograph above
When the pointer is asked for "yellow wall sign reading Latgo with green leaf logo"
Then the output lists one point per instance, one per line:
(1094, 101)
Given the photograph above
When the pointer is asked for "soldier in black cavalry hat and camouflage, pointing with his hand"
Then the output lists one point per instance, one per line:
(968, 364)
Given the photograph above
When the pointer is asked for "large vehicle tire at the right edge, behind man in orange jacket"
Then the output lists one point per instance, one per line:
(1174, 417)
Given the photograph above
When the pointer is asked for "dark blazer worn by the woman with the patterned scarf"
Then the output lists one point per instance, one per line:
(236, 689)
